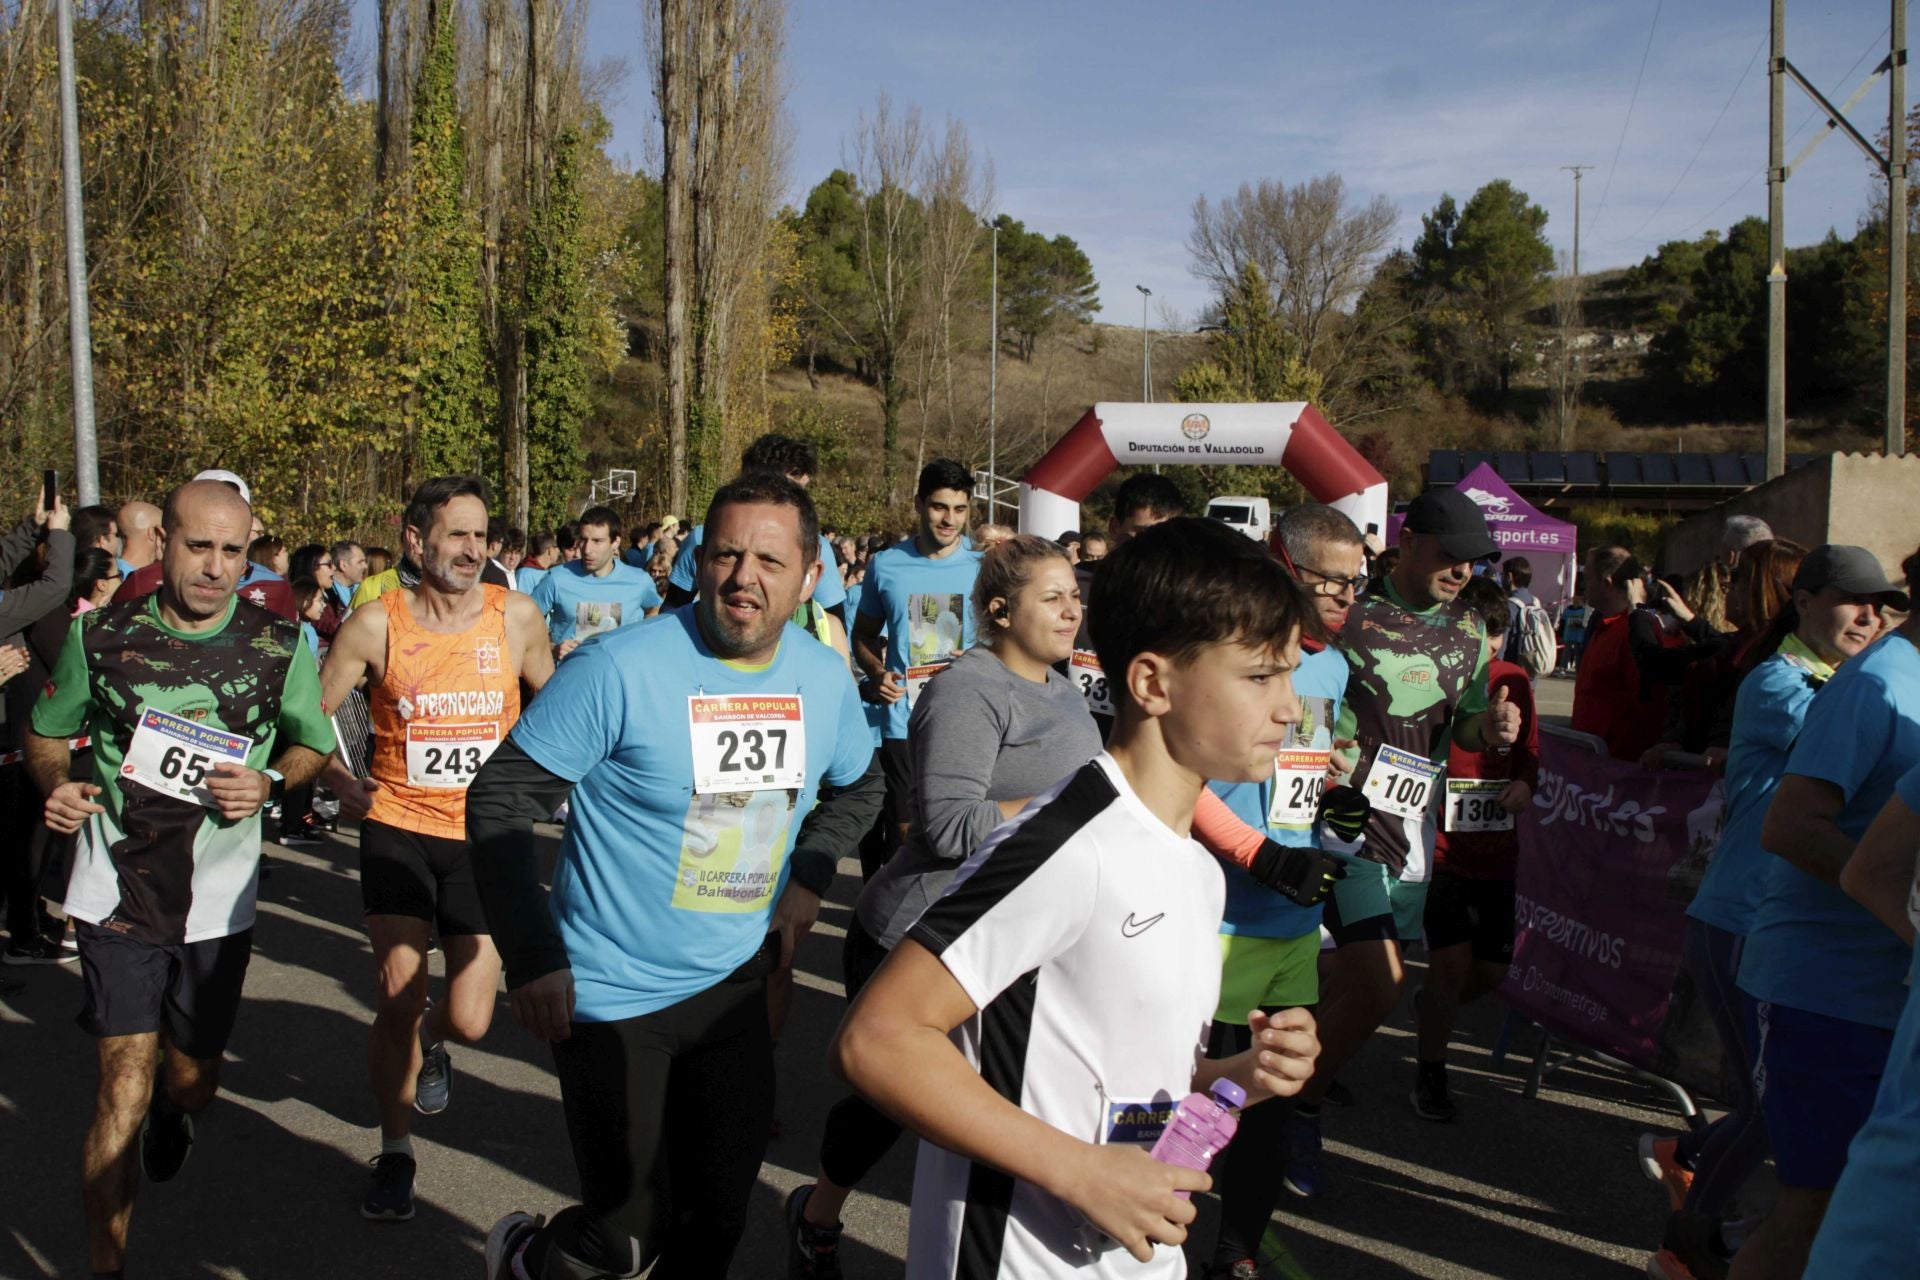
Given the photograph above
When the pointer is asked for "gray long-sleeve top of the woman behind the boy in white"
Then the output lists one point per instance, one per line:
(980, 734)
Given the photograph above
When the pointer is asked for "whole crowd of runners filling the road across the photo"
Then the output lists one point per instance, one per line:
(1136, 811)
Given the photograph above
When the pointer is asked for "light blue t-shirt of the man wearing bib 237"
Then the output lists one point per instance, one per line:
(660, 893)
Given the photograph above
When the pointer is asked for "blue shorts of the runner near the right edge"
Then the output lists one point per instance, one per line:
(1817, 1079)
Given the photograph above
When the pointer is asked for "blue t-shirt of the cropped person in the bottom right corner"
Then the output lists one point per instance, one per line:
(1871, 1227)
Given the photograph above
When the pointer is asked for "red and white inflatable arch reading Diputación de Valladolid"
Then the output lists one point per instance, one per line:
(1116, 435)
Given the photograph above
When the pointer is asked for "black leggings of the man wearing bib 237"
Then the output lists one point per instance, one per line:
(669, 1116)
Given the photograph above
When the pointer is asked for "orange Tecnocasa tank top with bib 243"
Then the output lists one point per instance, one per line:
(443, 707)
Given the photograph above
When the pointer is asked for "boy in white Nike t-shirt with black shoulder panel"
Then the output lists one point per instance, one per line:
(1078, 953)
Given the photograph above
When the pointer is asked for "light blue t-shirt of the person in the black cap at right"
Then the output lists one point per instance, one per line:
(1767, 717)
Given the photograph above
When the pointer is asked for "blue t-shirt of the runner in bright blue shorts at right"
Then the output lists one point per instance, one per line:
(1813, 947)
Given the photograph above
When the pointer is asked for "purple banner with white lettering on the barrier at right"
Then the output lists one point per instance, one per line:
(1610, 859)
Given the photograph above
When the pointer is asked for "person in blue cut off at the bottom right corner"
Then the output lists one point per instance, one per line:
(1871, 1227)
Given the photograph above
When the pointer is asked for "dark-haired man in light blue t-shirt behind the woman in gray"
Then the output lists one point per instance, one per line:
(919, 592)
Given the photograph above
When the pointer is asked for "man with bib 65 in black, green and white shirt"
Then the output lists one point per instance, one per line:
(199, 707)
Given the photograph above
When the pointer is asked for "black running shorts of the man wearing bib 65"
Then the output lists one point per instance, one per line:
(135, 987)
